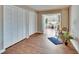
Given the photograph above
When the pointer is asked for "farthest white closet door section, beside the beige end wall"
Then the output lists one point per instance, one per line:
(32, 22)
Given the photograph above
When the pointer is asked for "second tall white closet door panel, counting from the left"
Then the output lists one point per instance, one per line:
(14, 25)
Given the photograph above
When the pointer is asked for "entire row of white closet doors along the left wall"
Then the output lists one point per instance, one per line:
(19, 23)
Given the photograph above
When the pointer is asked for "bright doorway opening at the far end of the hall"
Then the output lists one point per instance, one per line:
(51, 24)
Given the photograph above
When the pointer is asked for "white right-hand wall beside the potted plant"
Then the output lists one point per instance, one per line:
(74, 25)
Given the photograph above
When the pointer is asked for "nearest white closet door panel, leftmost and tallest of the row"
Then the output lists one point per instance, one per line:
(7, 26)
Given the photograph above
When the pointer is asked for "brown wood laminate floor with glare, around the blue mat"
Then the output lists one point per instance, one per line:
(39, 44)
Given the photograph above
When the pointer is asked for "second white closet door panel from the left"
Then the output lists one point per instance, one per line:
(14, 24)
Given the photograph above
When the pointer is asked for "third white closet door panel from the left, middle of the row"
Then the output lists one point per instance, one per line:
(20, 24)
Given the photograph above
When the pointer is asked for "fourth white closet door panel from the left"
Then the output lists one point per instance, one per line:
(26, 23)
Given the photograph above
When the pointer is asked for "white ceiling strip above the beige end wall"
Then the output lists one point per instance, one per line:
(47, 7)
